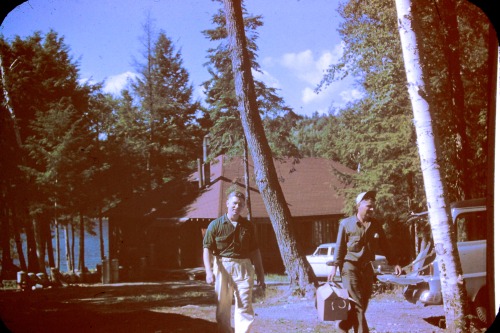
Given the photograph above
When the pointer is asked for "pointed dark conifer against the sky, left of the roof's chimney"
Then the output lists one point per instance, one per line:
(173, 135)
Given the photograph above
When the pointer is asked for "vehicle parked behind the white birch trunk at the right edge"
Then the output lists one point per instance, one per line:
(423, 284)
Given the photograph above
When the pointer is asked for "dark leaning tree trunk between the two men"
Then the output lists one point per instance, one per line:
(298, 269)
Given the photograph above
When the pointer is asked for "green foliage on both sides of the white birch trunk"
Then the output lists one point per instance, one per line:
(375, 135)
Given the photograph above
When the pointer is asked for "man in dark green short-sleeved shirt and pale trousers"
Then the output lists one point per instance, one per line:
(232, 241)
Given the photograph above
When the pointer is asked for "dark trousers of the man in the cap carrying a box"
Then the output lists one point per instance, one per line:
(358, 280)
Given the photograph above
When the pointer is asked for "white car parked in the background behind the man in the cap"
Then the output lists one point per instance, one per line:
(324, 254)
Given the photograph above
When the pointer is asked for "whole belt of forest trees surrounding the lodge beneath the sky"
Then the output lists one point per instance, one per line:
(70, 151)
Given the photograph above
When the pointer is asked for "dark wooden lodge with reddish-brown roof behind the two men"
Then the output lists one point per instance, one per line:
(163, 230)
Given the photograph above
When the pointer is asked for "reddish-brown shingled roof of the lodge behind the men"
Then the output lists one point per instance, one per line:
(309, 185)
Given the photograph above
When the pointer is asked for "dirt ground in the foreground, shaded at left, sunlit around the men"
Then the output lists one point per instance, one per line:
(186, 306)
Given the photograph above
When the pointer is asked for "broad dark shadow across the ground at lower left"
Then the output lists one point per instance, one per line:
(112, 308)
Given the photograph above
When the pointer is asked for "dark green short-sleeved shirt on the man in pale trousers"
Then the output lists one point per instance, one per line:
(225, 240)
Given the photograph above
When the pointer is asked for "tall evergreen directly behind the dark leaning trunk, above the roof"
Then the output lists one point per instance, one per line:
(226, 133)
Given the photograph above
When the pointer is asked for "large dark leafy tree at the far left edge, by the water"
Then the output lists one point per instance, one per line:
(54, 129)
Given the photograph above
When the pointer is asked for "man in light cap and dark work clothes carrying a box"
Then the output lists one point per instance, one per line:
(359, 238)
